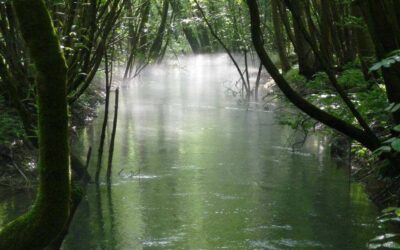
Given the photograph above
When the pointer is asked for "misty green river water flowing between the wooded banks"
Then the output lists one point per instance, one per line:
(193, 170)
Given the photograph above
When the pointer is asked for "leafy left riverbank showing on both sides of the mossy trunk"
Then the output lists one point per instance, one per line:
(17, 155)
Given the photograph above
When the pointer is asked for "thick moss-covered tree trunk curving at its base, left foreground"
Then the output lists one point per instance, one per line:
(38, 227)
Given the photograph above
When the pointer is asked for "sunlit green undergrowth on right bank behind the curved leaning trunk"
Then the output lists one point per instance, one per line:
(370, 101)
